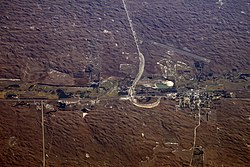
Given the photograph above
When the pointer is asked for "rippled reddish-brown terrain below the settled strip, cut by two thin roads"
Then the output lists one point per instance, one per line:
(124, 136)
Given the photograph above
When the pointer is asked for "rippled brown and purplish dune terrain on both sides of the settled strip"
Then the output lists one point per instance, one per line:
(43, 38)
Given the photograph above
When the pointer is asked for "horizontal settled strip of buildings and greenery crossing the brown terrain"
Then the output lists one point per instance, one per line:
(190, 87)
